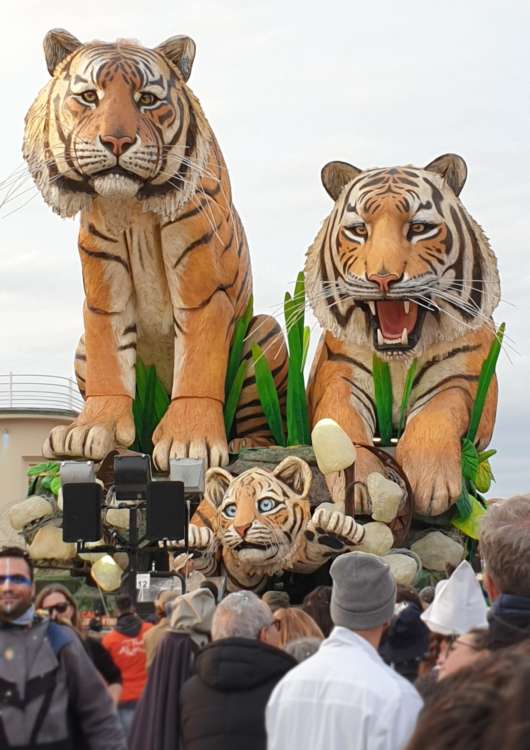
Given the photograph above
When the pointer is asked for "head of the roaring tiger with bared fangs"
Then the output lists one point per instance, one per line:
(399, 263)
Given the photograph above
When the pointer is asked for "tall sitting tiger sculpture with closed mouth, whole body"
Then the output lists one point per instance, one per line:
(117, 135)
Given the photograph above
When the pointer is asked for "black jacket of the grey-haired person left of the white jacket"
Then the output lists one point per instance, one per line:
(223, 704)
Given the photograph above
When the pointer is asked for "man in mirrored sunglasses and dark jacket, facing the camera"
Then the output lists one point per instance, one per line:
(50, 693)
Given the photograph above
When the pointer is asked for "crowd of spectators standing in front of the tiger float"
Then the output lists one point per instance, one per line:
(363, 664)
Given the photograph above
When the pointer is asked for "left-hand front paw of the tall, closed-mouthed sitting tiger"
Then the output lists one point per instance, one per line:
(106, 421)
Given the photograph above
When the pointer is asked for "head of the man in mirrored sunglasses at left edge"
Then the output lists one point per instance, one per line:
(16, 583)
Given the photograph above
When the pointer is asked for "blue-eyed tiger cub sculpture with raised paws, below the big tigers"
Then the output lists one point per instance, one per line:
(260, 523)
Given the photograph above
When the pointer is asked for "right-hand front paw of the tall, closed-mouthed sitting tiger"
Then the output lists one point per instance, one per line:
(191, 428)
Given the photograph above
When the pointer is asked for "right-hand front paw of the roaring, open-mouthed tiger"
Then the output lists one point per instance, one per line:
(434, 473)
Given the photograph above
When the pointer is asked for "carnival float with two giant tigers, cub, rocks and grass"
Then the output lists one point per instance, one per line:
(384, 449)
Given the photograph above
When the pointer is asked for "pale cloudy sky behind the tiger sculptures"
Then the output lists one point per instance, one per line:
(287, 87)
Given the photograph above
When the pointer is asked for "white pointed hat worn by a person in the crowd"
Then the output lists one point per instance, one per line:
(458, 605)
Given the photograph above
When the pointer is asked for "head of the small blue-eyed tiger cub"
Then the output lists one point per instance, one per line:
(261, 515)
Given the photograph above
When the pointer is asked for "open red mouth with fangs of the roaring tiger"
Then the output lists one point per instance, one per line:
(396, 324)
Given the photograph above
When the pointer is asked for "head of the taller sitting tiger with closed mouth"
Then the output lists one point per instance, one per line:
(116, 120)
